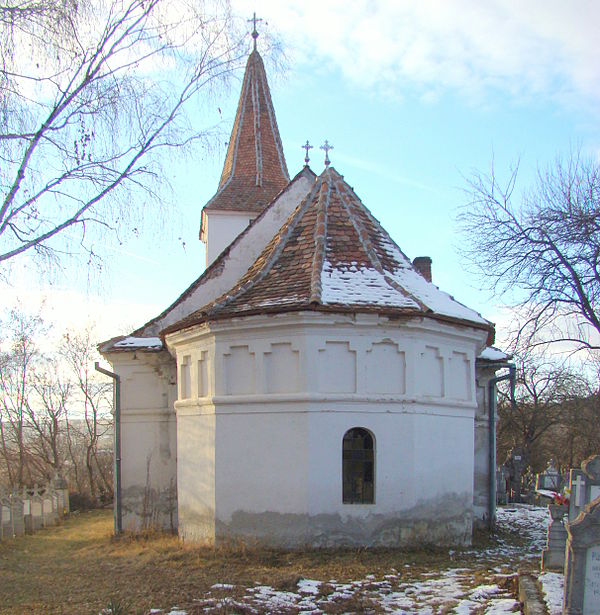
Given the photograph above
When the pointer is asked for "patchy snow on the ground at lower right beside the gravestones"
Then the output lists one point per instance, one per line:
(453, 590)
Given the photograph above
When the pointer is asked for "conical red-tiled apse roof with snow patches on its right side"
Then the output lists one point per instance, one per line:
(333, 255)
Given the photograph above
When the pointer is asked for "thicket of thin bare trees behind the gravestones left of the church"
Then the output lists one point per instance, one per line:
(54, 412)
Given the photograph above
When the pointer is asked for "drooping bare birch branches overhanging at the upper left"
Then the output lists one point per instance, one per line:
(91, 95)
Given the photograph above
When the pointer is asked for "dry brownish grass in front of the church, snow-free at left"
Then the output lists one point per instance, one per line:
(79, 568)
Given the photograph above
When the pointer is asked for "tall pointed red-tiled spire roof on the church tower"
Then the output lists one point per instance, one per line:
(254, 171)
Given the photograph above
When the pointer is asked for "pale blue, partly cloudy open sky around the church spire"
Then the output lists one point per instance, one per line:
(414, 97)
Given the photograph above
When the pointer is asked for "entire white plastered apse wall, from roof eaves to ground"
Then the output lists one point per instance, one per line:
(276, 454)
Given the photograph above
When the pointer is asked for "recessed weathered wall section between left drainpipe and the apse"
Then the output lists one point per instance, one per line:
(148, 439)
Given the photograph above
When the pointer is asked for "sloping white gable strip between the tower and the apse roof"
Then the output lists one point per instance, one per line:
(241, 255)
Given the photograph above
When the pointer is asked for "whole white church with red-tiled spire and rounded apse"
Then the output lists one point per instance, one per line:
(312, 386)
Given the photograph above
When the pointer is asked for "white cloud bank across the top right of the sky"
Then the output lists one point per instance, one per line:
(547, 47)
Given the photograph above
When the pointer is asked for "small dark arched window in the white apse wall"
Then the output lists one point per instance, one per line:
(358, 467)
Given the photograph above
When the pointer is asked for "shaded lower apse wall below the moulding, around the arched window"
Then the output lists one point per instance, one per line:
(279, 475)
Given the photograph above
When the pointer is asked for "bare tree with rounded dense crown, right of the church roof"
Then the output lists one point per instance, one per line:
(543, 251)
